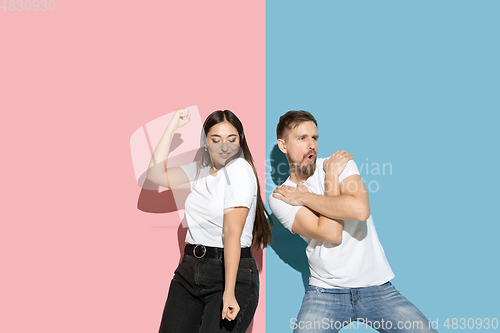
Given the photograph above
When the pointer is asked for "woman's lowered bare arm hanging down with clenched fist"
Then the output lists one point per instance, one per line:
(234, 220)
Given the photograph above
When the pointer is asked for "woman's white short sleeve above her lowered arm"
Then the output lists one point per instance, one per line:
(241, 184)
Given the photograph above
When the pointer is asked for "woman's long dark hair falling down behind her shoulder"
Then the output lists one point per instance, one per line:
(263, 221)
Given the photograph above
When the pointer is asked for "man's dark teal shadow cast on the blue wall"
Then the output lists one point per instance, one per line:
(290, 248)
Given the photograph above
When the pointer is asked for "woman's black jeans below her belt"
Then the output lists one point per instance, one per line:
(194, 302)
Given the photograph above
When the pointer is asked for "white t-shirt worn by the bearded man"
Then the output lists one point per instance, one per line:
(359, 261)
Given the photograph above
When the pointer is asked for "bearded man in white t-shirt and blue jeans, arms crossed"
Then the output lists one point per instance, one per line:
(326, 202)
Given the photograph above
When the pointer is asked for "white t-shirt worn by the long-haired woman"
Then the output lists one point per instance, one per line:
(234, 185)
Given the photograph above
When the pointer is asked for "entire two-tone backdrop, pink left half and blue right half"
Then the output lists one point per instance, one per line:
(410, 88)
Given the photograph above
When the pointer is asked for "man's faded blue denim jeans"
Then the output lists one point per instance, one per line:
(381, 307)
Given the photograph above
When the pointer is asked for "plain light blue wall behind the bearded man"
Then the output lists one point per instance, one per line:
(414, 84)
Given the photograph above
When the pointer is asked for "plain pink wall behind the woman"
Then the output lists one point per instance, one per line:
(77, 254)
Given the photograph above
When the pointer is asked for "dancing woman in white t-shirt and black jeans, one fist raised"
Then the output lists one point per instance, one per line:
(216, 286)
